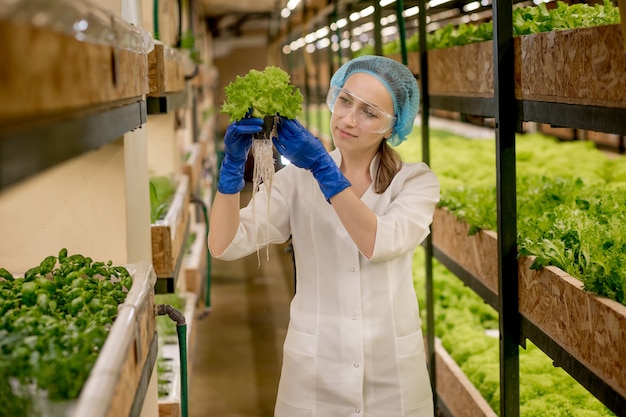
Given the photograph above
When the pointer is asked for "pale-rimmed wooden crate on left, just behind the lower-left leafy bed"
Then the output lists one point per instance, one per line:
(168, 234)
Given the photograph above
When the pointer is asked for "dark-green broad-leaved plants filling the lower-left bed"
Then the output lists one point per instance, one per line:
(54, 321)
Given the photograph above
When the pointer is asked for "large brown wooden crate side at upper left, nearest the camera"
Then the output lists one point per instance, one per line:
(44, 73)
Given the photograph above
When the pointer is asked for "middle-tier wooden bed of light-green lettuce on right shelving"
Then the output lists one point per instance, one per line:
(589, 327)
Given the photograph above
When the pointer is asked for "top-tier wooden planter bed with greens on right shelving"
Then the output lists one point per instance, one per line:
(572, 54)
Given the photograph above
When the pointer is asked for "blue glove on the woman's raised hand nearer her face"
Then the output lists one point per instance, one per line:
(306, 151)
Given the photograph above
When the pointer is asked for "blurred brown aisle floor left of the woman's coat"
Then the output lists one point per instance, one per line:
(238, 348)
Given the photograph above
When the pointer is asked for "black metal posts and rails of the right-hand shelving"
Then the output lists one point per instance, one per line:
(514, 328)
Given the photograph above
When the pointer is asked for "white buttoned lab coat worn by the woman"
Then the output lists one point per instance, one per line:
(354, 346)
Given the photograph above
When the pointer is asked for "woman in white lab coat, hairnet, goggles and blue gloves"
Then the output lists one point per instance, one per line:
(354, 344)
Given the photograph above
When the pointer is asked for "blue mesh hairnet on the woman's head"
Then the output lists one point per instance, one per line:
(397, 79)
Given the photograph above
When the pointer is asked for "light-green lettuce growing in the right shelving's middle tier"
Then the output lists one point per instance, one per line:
(569, 216)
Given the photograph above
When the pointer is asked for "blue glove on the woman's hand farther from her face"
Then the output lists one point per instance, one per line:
(237, 143)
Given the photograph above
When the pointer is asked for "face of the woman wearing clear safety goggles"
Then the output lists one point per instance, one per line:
(347, 135)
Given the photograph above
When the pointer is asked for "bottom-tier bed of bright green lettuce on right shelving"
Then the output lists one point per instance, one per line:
(467, 338)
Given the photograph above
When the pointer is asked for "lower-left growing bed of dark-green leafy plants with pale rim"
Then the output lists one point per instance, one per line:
(77, 339)
